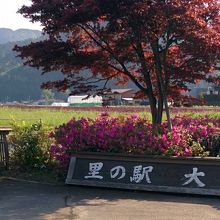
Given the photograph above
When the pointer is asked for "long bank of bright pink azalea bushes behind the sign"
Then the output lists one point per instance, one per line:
(132, 135)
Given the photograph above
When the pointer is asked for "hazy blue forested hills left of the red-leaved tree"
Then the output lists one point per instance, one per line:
(17, 82)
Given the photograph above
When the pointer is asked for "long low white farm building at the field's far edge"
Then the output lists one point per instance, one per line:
(82, 100)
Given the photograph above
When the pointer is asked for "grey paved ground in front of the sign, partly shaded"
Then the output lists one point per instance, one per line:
(21, 200)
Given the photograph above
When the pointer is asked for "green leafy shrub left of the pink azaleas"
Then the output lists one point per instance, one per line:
(30, 146)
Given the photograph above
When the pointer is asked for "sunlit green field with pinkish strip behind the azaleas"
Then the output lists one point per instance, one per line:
(57, 116)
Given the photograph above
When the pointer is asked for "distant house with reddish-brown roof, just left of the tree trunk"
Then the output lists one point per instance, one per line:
(119, 97)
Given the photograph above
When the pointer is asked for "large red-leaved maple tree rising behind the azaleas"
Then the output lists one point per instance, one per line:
(160, 45)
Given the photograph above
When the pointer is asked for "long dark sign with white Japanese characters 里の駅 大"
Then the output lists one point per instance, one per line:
(181, 175)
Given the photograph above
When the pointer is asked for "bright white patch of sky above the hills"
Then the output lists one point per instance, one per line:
(10, 19)
